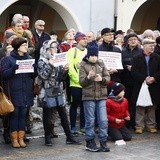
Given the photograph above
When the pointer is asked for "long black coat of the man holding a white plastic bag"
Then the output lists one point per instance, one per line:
(139, 73)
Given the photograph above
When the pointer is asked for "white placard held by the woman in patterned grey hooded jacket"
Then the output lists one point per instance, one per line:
(60, 59)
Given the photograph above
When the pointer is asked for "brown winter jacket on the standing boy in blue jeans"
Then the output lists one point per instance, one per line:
(92, 90)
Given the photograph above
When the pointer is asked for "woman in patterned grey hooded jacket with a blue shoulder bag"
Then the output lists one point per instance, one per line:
(52, 94)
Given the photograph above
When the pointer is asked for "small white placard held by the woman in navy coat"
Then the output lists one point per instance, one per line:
(25, 66)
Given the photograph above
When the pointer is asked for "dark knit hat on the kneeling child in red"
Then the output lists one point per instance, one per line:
(116, 88)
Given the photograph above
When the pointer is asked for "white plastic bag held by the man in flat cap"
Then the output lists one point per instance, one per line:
(144, 98)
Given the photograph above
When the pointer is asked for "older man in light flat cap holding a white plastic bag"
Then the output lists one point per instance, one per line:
(146, 67)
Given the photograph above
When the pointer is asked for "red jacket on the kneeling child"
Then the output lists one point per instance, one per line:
(116, 109)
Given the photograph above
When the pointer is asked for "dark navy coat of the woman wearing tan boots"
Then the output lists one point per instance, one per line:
(20, 85)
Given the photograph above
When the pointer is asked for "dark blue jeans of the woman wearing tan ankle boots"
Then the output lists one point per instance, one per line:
(18, 119)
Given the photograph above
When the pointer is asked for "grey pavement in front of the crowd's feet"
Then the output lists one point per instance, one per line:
(144, 146)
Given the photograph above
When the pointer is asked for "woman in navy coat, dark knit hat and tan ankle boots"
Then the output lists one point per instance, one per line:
(20, 88)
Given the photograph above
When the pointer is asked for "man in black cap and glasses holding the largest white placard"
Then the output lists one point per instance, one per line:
(108, 46)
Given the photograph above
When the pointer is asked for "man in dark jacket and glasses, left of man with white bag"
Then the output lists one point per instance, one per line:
(128, 52)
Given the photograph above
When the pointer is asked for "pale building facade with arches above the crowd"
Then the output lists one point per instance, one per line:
(84, 15)
